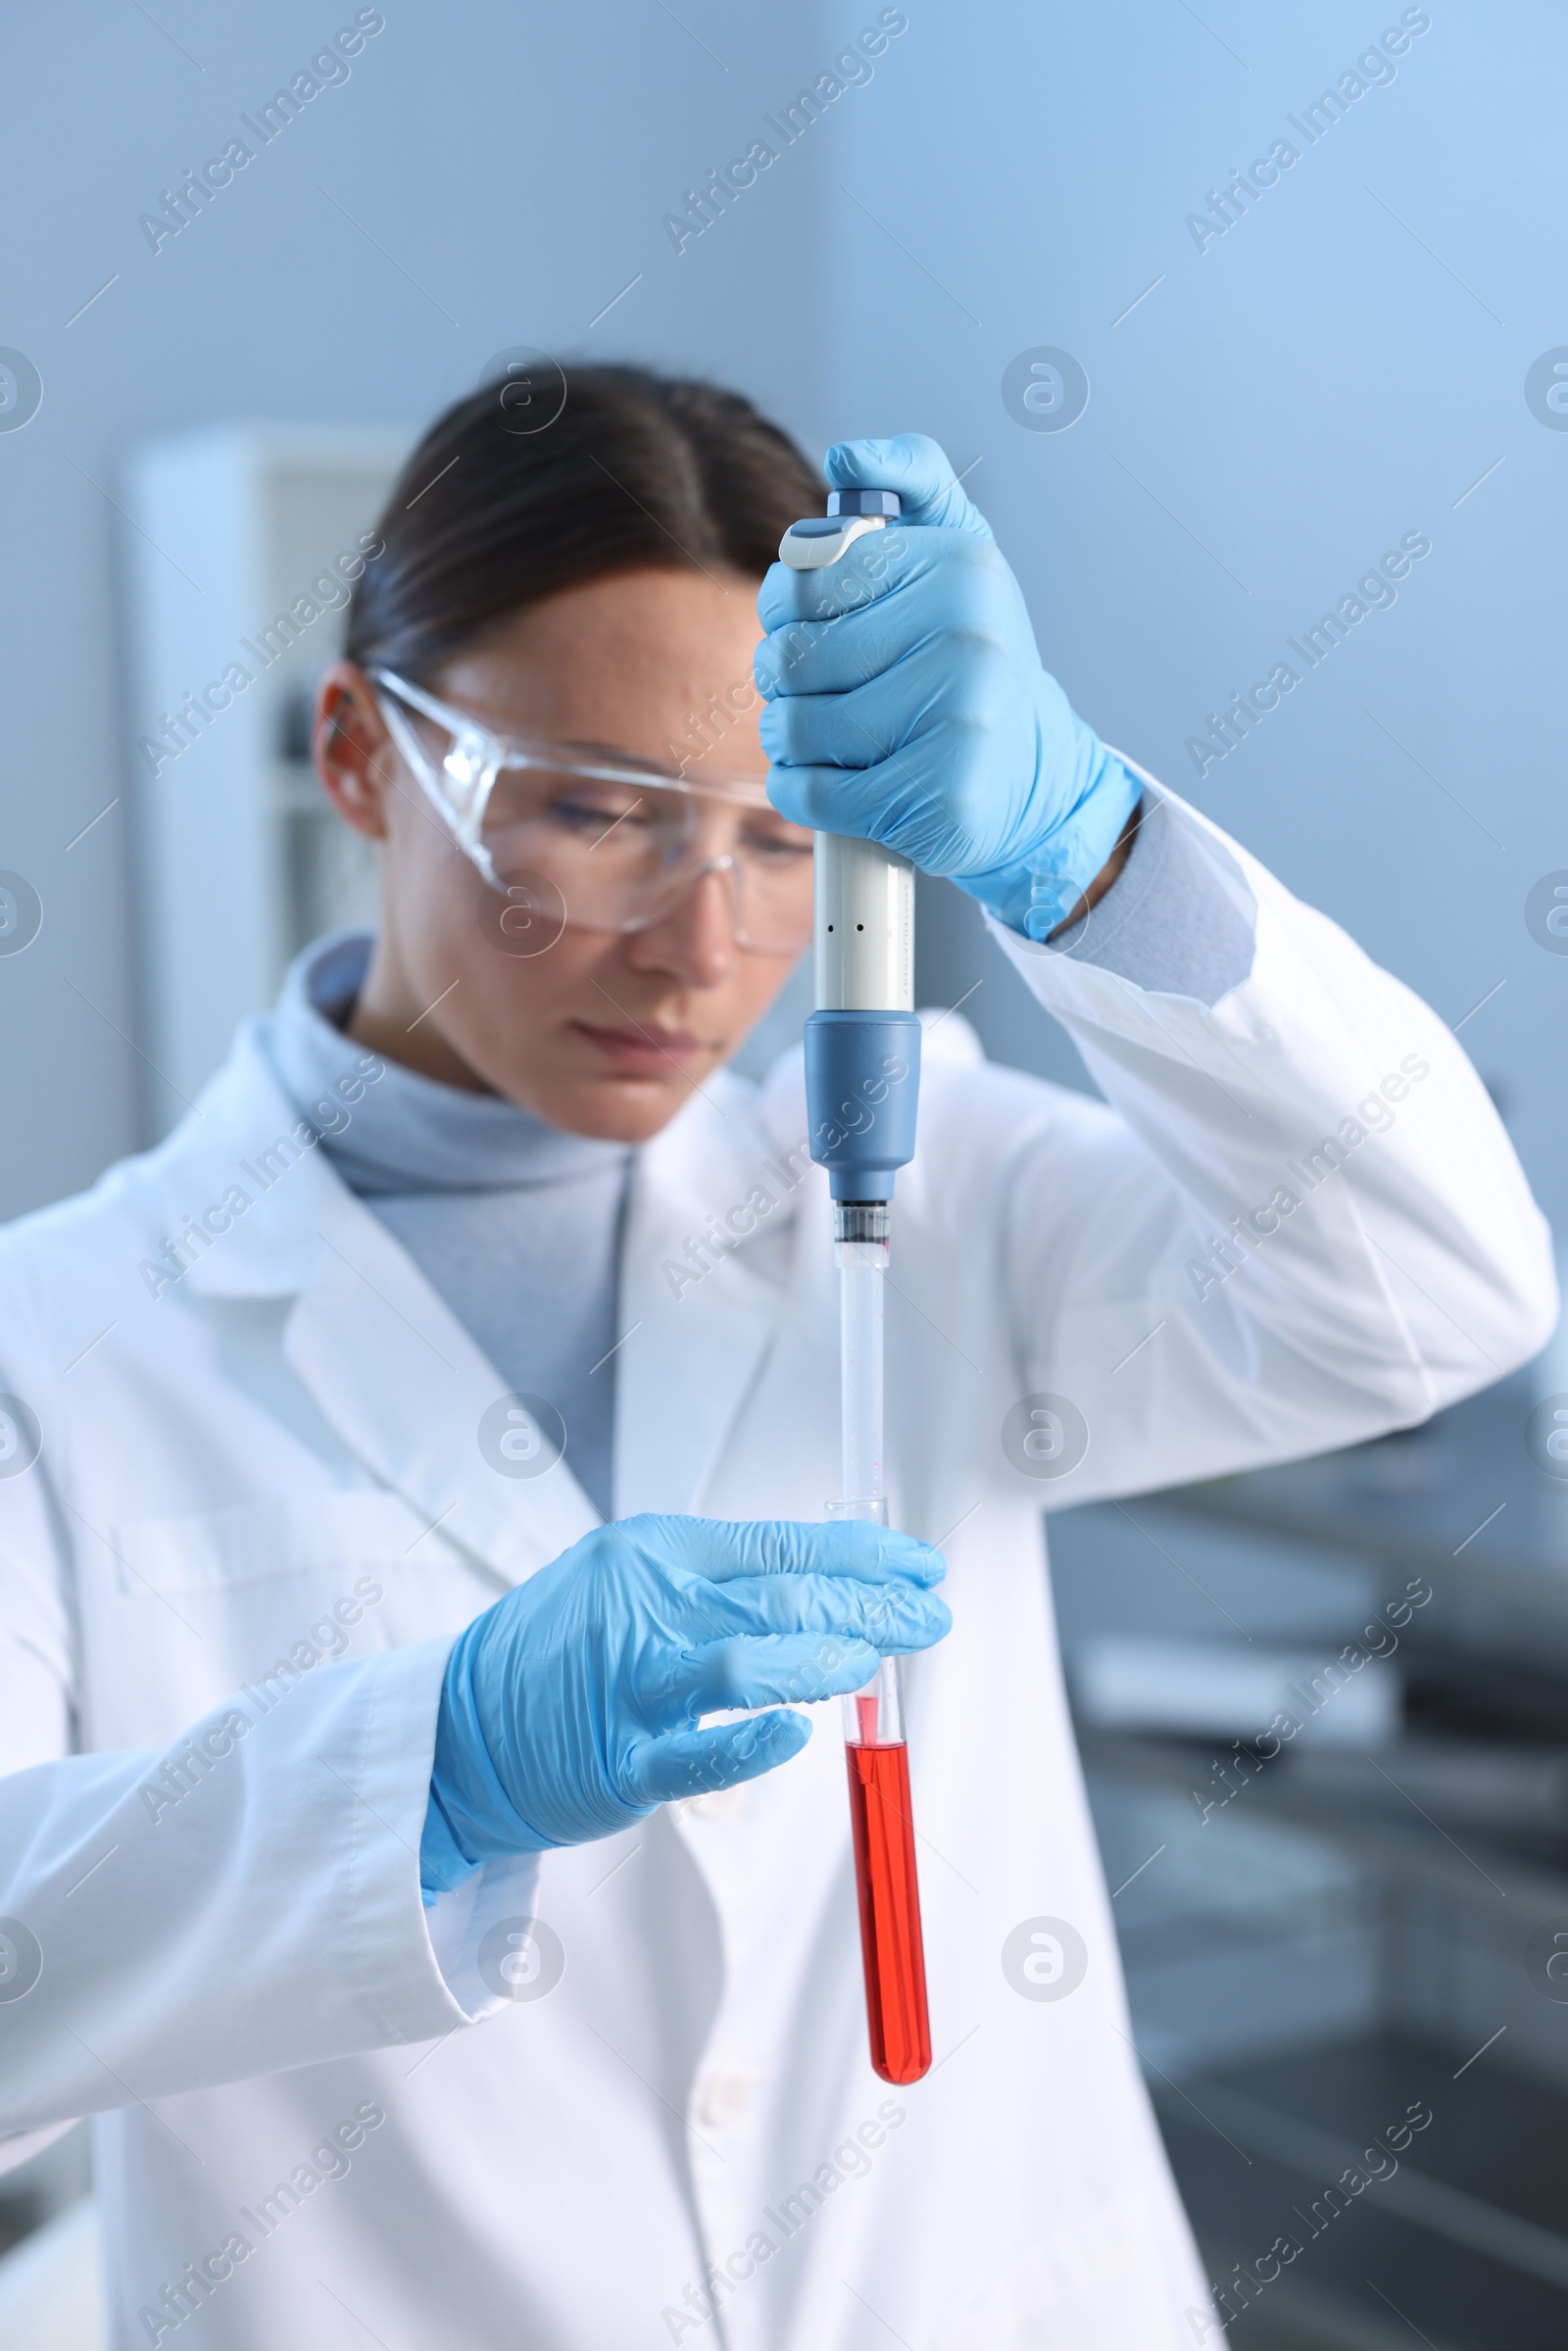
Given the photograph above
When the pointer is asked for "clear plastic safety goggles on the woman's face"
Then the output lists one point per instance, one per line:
(612, 838)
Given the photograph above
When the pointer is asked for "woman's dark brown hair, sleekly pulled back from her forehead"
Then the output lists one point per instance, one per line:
(638, 469)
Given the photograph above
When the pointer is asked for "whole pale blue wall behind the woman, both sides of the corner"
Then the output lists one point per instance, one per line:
(1299, 396)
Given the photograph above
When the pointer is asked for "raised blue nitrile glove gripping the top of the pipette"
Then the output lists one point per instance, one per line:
(909, 704)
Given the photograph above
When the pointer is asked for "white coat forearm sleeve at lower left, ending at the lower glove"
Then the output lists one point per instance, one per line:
(257, 1887)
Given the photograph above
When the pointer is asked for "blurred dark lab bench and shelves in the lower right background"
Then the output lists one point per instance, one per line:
(1367, 1917)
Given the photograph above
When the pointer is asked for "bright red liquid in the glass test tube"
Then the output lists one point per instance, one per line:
(890, 1898)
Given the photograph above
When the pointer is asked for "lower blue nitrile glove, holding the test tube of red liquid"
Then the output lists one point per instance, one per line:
(572, 1706)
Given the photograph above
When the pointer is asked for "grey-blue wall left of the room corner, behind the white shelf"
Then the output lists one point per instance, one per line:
(514, 161)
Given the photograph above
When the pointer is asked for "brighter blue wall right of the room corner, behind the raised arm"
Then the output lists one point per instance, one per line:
(1296, 396)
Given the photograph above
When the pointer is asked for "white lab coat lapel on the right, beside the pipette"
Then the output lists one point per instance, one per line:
(697, 1320)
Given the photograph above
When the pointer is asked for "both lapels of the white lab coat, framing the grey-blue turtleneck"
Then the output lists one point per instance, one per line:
(403, 1384)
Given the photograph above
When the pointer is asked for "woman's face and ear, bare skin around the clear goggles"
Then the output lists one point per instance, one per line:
(603, 1033)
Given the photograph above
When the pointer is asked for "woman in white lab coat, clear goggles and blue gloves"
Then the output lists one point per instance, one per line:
(410, 1459)
